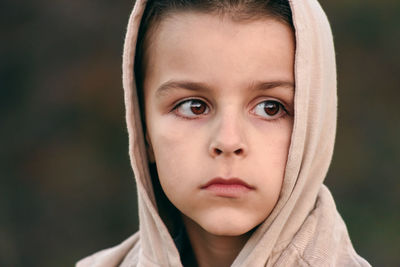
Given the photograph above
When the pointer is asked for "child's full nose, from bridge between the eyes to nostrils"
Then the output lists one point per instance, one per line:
(228, 135)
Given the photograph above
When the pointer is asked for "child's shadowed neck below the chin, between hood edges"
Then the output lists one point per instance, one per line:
(213, 250)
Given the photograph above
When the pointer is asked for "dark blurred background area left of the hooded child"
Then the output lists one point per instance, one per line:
(66, 184)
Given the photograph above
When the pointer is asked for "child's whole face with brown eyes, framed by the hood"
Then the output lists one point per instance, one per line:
(219, 103)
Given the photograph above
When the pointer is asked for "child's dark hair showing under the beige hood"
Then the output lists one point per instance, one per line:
(237, 10)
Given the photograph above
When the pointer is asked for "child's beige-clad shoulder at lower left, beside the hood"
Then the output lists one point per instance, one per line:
(112, 256)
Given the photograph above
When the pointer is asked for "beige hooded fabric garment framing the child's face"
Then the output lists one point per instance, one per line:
(304, 228)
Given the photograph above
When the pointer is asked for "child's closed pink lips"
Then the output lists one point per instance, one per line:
(229, 188)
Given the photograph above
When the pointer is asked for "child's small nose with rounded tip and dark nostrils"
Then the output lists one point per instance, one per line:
(228, 138)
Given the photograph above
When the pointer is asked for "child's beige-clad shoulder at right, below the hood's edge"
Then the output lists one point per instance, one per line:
(322, 240)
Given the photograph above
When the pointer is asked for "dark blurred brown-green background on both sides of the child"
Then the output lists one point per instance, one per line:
(66, 185)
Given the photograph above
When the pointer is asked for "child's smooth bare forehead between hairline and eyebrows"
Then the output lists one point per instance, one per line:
(215, 49)
